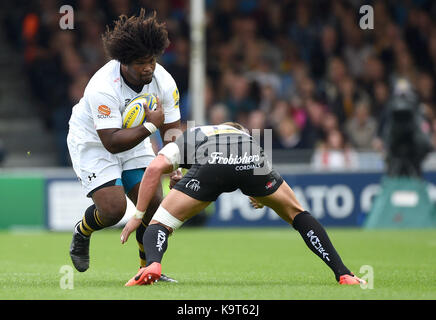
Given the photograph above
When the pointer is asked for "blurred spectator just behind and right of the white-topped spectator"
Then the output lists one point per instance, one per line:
(361, 128)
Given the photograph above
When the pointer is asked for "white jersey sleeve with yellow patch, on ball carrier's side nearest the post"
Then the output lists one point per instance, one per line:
(170, 100)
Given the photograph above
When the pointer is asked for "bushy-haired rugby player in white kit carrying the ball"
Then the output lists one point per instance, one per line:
(109, 160)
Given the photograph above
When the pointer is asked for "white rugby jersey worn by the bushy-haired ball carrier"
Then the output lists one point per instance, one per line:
(107, 95)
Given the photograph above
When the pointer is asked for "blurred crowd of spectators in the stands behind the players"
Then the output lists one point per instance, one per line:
(304, 69)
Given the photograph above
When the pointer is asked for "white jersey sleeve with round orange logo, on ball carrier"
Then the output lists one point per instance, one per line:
(105, 110)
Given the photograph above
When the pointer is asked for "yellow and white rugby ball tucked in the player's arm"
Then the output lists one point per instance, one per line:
(134, 114)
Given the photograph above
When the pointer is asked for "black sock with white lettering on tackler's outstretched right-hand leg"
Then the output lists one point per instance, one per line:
(316, 238)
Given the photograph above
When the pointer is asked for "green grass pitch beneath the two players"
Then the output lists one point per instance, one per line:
(271, 264)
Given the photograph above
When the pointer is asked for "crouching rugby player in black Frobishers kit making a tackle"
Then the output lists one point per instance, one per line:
(220, 159)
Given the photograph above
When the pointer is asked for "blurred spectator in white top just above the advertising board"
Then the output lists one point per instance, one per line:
(334, 154)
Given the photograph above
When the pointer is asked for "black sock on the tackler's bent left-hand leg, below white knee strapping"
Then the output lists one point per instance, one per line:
(155, 243)
